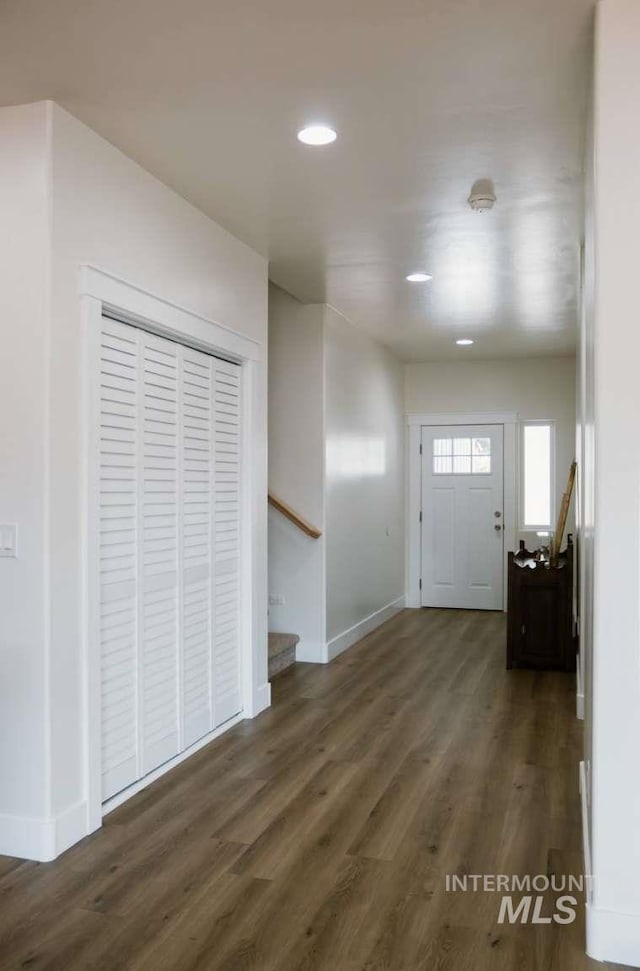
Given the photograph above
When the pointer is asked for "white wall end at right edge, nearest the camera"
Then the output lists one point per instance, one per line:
(613, 919)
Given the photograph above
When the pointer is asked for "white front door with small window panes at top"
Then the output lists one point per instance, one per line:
(462, 516)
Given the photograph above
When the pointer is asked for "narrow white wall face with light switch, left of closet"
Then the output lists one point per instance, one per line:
(24, 266)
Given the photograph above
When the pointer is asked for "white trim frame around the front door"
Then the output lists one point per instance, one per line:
(415, 421)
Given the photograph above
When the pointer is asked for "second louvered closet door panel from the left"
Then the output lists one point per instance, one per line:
(158, 503)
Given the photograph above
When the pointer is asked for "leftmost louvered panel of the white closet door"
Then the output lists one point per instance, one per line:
(117, 553)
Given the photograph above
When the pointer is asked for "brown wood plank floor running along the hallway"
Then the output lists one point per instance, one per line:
(319, 835)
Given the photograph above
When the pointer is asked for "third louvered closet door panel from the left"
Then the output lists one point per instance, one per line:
(196, 519)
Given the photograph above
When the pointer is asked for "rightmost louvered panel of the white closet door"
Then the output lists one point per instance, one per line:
(226, 596)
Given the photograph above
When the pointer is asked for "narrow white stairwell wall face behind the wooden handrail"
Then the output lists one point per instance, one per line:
(296, 469)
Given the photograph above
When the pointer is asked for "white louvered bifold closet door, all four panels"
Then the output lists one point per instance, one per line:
(169, 549)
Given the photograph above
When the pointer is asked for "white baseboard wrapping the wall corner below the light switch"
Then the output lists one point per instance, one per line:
(42, 839)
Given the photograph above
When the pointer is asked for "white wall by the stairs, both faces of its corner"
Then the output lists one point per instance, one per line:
(336, 456)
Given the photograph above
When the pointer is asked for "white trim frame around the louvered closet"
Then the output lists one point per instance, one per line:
(102, 291)
